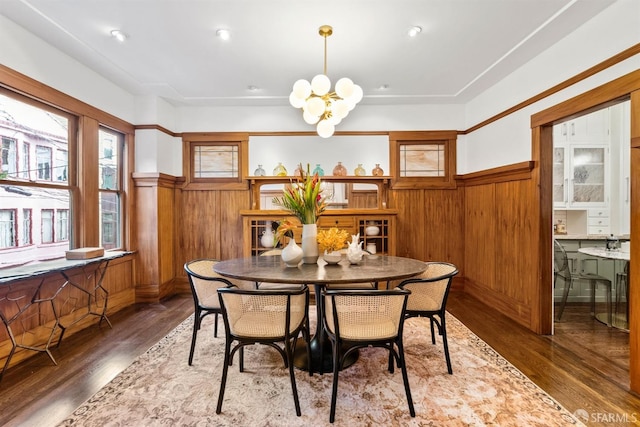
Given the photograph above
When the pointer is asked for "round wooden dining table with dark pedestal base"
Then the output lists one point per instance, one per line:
(271, 269)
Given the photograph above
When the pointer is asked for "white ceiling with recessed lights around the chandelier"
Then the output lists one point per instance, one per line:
(173, 52)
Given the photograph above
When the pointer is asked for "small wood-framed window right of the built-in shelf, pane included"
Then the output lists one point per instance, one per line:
(423, 159)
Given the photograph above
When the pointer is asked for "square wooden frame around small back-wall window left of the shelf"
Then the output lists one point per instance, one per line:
(238, 139)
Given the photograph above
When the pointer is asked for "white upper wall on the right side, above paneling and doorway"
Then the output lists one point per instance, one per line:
(509, 140)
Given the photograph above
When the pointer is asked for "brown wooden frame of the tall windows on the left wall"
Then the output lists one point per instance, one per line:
(82, 157)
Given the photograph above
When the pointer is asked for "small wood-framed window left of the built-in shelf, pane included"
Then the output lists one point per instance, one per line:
(216, 160)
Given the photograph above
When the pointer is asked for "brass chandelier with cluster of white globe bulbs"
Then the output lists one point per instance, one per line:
(320, 106)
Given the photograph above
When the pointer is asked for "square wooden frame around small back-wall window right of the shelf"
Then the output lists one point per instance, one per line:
(447, 139)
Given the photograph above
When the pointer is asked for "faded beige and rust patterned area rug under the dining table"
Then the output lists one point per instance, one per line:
(161, 389)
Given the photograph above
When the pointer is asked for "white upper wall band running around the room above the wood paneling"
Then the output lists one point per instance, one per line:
(505, 142)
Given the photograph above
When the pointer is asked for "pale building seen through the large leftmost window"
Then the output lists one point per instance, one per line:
(34, 218)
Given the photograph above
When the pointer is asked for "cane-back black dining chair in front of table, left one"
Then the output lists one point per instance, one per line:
(264, 316)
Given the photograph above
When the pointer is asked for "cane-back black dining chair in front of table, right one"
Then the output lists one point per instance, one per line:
(355, 319)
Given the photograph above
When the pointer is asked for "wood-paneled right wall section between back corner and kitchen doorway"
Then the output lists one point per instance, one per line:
(500, 241)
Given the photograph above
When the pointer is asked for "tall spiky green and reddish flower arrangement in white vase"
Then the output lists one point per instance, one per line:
(303, 197)
